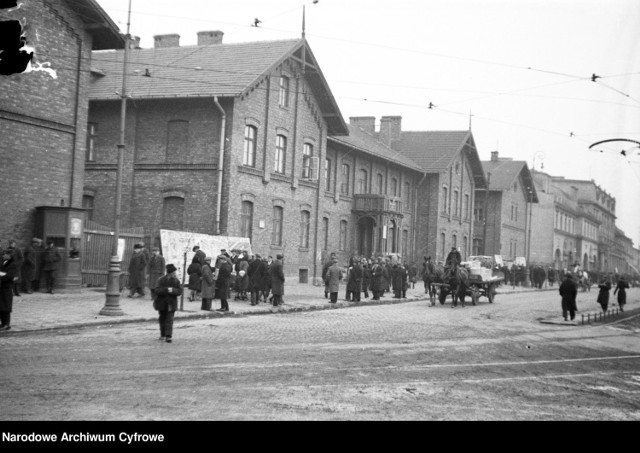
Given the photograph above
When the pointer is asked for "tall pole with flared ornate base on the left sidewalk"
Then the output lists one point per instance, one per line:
(112, 299)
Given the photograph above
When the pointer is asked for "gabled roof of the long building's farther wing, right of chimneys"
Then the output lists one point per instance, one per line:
(435, 151)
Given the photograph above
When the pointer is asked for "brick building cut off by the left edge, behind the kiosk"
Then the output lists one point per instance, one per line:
(43, 113)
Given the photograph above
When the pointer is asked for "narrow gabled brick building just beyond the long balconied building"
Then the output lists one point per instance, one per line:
(503, 210)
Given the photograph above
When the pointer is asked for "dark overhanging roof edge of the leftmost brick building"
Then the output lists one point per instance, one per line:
(106, 34)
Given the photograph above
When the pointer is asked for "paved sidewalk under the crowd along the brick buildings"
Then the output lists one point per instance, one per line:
(41, 311)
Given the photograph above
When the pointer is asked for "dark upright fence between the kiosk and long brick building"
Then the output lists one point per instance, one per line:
(98, 242)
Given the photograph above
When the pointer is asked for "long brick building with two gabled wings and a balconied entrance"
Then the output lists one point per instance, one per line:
(247, 140)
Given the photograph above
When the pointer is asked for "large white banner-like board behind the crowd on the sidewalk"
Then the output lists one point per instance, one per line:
(176, 243)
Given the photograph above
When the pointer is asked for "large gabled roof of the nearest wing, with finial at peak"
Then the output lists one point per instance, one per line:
(224, 70)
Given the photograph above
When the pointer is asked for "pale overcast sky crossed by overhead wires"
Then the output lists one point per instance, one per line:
(520, 71)
